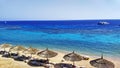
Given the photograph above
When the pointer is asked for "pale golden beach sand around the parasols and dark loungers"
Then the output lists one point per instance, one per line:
(10, 63)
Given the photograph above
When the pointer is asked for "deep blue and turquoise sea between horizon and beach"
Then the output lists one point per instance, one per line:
(82, 36)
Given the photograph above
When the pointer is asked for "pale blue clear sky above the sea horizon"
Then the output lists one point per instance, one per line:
(59, 9)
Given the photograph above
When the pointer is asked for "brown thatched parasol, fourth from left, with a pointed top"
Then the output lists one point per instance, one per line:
(47, 53)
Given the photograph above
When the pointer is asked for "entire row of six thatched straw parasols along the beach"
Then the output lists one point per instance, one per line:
(98, 63)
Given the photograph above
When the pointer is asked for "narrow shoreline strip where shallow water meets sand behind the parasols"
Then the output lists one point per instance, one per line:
(85, 53)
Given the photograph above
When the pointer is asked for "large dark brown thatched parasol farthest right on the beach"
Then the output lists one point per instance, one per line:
(102, 63)
